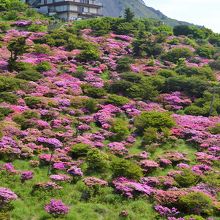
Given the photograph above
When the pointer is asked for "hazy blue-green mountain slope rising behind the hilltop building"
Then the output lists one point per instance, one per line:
(115, 8)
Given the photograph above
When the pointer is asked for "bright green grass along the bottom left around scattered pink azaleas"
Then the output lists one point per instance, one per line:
(105, 205)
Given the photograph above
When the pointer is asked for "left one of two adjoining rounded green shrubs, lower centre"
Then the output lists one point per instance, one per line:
(97, 160)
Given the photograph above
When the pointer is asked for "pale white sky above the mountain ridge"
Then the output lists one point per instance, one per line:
(200, 12)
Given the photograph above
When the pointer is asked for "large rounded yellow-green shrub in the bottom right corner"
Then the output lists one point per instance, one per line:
(196, 203)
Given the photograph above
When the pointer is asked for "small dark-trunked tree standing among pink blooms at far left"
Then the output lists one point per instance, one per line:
(17, 47)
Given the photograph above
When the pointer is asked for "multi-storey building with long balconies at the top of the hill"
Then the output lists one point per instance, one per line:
(68, 10)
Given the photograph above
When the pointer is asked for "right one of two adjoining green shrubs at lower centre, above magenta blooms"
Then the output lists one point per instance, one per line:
(121, 167)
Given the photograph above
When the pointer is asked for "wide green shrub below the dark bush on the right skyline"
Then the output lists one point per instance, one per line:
(175, 54)
